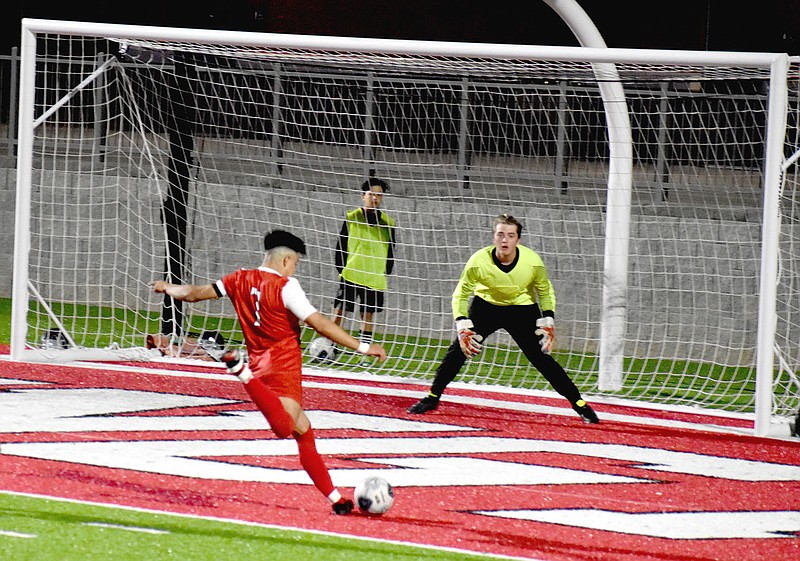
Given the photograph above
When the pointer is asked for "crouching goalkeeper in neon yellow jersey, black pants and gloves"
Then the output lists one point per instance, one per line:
(510, 290)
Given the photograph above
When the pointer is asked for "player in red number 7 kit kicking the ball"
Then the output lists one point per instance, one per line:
(270, 305)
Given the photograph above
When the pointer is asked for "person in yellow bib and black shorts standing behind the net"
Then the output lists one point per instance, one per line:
(364, 257)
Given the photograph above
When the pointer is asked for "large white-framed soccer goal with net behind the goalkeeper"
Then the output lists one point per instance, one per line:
(659, 187)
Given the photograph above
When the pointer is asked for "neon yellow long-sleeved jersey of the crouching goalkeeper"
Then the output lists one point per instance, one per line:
(525, 282)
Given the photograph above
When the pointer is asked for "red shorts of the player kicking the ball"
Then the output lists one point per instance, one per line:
(281, 368)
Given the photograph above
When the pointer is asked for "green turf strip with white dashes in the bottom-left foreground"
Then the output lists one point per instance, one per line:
(35, 529)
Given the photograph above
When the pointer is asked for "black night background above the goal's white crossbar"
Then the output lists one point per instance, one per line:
(737, 25)
